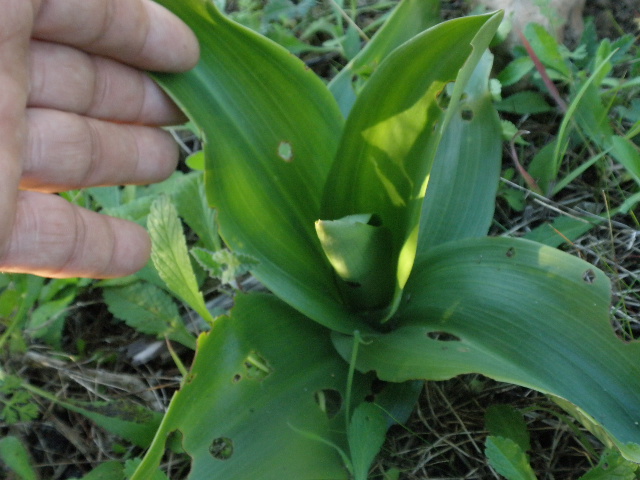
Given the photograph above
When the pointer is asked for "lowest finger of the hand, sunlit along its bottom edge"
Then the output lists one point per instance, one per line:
(54, 238)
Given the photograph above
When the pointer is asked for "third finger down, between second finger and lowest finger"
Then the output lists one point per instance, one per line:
(67, 151)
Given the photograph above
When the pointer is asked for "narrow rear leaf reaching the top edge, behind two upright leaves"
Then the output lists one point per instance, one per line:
(408, 19)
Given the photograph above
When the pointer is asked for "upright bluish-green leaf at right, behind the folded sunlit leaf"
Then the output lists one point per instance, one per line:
(461, 195)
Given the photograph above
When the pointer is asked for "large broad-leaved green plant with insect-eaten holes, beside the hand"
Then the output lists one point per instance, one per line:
(394, 202)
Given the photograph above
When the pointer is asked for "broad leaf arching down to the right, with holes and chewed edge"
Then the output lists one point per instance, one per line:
(518, 312)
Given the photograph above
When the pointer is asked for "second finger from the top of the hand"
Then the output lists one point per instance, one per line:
(65, 78)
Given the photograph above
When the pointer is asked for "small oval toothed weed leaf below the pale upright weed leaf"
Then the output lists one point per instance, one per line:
(149, 310)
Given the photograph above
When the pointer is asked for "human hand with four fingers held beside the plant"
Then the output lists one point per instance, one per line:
(75, 110)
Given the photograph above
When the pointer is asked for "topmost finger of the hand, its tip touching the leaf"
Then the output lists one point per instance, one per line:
(138, 32)
